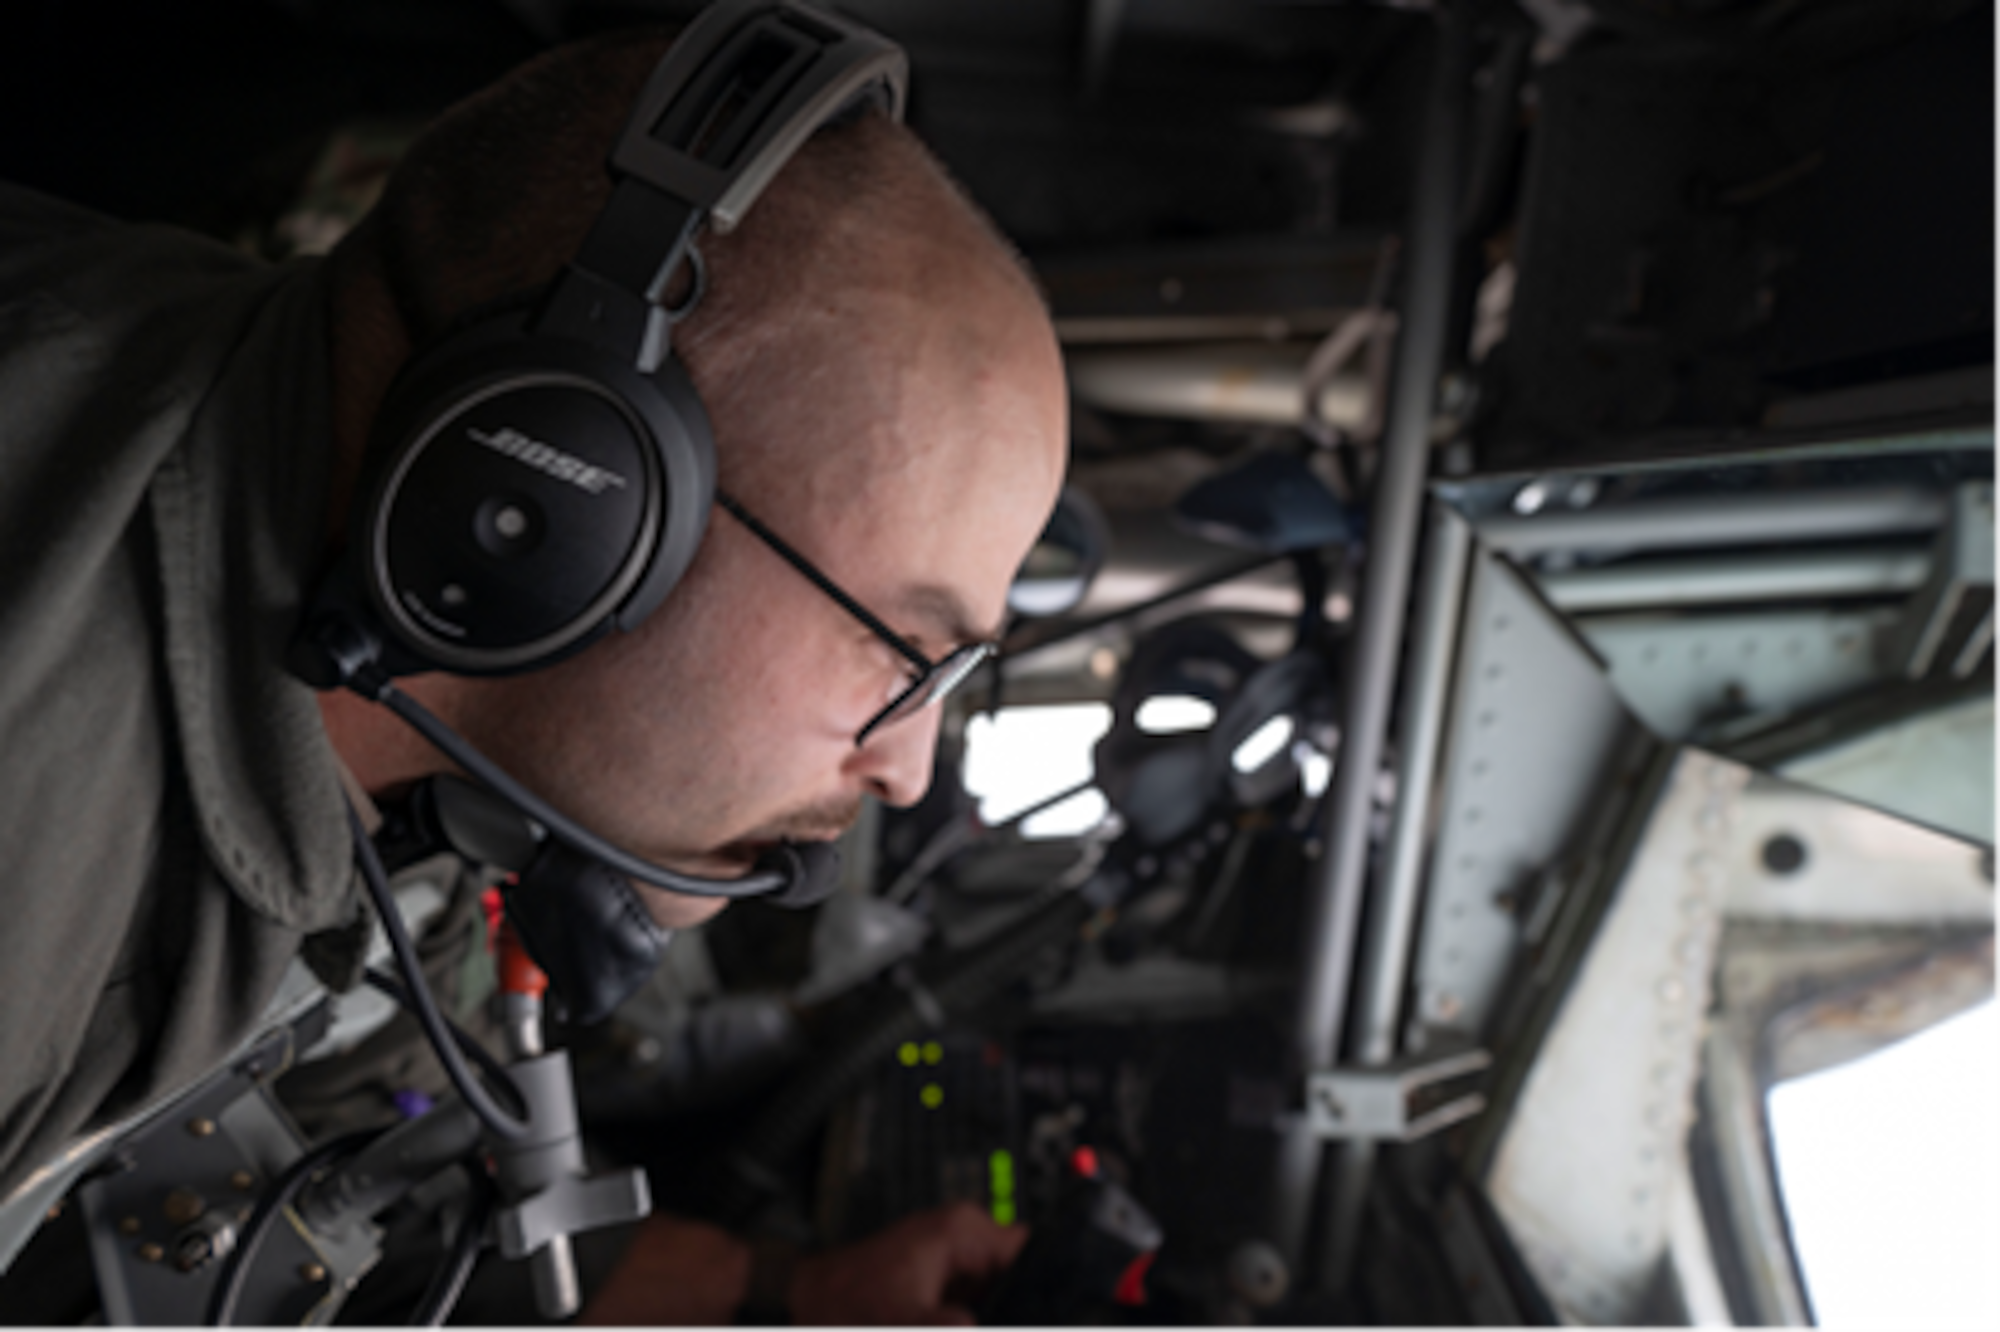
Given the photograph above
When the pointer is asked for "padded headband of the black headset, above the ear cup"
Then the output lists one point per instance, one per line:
(743, 89)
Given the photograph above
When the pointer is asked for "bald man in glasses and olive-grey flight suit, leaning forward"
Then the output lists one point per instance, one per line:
(185, 439)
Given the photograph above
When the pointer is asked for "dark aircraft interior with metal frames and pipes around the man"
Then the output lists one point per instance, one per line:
(1513, 683)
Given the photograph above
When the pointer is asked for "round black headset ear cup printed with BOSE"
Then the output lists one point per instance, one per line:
(533, 495)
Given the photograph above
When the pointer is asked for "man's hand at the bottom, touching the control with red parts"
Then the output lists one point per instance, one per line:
(899, 1281)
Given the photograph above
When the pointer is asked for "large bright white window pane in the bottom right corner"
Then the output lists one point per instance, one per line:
(1891, 1173)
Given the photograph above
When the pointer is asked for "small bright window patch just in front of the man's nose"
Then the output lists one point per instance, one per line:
(1029, 755)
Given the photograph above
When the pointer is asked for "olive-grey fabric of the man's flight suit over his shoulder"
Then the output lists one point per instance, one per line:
(169, 811)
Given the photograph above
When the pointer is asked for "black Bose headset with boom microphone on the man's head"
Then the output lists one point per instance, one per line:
(545, 475)
